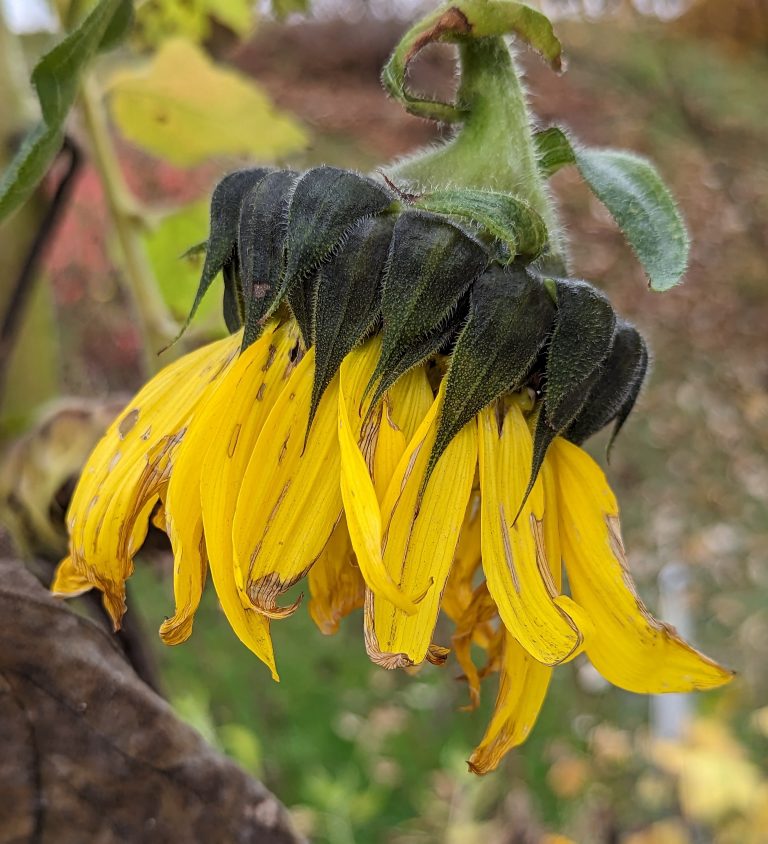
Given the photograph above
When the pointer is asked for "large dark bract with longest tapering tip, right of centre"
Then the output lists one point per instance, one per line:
(510, 318)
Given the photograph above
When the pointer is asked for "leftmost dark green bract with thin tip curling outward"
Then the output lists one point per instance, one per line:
(222, 233)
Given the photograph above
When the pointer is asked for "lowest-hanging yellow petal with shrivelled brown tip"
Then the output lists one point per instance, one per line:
(522, 689)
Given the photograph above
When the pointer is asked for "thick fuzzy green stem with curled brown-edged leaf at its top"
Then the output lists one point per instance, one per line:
(493, 147)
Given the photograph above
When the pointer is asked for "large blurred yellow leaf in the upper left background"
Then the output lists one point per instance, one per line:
(185, 109)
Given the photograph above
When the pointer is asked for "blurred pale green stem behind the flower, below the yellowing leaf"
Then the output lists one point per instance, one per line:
(156, 325)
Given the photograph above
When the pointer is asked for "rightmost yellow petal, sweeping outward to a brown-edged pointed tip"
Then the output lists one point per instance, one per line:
(630, 648)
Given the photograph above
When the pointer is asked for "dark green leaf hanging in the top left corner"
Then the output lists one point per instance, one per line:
(56, 79)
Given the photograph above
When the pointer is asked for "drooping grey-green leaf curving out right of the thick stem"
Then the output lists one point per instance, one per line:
(632, 190)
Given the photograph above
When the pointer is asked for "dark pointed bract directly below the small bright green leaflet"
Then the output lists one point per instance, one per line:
(431, 265)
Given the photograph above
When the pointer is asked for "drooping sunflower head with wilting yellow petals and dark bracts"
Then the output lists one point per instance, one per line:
(396, 417)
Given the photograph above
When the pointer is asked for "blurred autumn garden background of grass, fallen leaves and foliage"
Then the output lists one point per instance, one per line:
(360, 754)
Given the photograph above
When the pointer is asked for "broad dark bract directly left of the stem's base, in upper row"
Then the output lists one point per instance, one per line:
(326, 203)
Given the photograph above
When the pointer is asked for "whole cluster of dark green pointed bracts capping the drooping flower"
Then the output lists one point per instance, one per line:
(453, 274)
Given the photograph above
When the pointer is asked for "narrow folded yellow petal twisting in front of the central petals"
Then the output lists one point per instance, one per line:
(361, 504)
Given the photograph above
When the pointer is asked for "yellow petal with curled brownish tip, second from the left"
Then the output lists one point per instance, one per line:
(183, 510)
